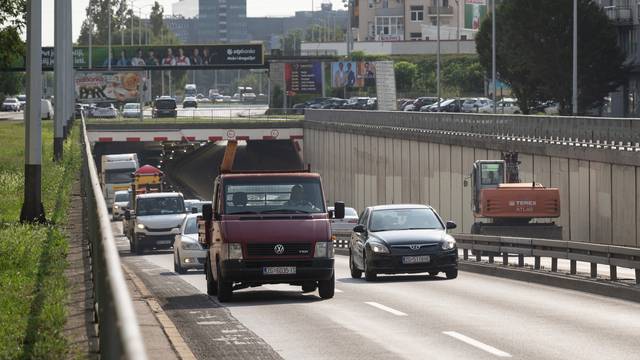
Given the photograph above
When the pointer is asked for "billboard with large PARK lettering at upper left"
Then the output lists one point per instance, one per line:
(108, 86)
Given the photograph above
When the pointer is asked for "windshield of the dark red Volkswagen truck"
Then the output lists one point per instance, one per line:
(273, 195)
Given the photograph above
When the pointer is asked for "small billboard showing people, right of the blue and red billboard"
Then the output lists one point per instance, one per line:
(353, 74)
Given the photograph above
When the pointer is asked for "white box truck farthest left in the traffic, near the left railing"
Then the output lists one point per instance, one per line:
(115, 174)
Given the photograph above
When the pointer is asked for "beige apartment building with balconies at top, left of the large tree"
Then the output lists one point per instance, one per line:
(400, 20)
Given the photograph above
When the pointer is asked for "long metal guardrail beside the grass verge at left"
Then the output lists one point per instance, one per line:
(118, 330)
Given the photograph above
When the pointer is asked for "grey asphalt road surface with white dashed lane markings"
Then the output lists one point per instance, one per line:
(397, 317)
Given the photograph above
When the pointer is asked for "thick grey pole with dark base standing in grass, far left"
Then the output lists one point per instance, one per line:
(32, 209)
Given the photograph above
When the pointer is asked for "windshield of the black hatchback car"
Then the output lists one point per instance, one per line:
(404, 219)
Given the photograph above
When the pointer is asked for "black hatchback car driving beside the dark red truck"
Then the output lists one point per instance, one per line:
(401, 239)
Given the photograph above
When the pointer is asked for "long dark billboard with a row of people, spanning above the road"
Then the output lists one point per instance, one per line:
(165, 56)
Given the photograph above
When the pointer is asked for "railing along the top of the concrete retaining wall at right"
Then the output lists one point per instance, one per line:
(585, 131)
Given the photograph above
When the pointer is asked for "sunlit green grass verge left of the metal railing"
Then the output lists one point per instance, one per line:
(33, 288)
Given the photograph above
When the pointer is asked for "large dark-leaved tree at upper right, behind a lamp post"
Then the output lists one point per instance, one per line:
(534, 52)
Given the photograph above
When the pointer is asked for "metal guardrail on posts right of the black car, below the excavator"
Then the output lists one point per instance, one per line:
(594, 254)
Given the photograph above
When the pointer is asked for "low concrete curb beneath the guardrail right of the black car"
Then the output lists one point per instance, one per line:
(609, 289)
